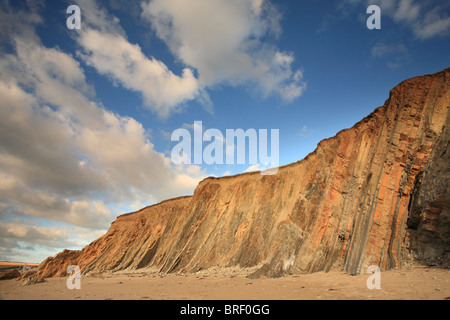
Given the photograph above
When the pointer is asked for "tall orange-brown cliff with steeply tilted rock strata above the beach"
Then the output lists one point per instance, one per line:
(377, 193)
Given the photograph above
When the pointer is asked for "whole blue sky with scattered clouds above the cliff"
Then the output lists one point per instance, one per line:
(87, 115)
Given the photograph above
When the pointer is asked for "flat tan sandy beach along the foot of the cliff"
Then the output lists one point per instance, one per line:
(405, 284)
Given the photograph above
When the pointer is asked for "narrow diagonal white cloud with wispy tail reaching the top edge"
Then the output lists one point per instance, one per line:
(106, 48)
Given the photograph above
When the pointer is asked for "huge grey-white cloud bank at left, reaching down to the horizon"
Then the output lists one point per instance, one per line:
(63, 156)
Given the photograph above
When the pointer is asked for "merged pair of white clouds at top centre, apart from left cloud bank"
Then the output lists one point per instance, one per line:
(199, 34)
